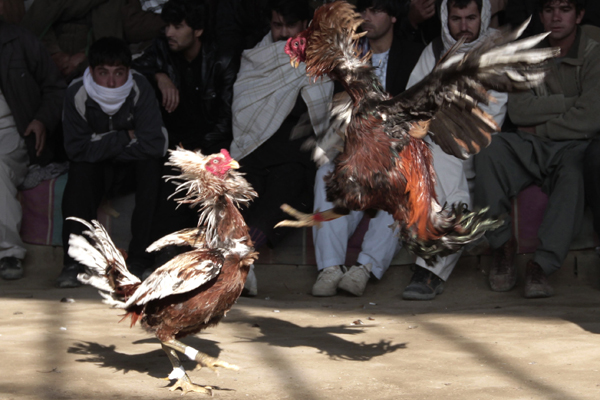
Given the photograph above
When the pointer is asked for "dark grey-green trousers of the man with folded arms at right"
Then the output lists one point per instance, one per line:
(516, 160)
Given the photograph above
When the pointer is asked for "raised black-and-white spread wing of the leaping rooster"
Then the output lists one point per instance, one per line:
(445, 103)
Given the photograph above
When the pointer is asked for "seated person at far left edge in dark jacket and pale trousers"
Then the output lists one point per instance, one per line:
(31, 98)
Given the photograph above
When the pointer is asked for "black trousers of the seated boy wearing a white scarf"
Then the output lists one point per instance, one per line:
(89, 182)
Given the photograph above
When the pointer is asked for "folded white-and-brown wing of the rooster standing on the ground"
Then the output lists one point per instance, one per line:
(182, 274)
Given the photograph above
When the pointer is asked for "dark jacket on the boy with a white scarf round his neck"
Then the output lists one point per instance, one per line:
(93, 136)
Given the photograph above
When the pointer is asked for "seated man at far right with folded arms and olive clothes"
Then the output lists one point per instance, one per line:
(555, 124)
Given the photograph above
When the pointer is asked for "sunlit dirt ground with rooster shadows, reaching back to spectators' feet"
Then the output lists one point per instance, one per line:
(469, 343)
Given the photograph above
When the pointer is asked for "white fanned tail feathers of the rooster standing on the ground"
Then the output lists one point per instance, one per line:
(105, 267)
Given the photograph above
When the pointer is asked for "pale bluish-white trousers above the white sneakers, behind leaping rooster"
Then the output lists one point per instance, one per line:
(379, 245)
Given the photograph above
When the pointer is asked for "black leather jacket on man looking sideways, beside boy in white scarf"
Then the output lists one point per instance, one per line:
(218, 75)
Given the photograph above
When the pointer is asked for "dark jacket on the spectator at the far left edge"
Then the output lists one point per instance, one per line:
(31, 84)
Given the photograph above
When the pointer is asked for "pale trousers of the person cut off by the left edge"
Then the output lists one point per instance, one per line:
(13, 169)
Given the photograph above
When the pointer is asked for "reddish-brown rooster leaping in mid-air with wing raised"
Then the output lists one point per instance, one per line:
(385, 164)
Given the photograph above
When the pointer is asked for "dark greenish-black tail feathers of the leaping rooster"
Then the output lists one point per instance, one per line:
(458, 227)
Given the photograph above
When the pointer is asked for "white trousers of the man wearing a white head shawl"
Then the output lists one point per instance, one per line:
(451, 187)
